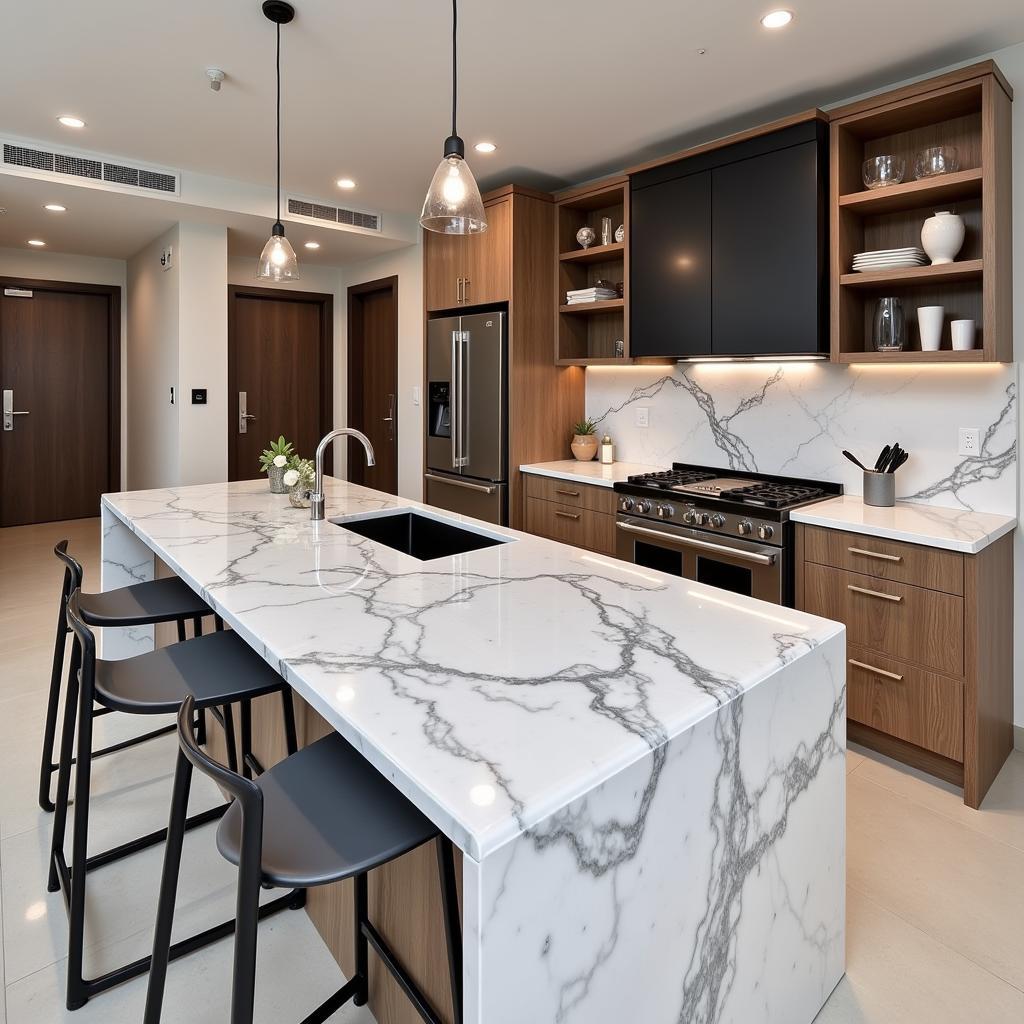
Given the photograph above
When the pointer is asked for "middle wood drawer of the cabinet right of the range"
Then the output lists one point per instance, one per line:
(908, 623)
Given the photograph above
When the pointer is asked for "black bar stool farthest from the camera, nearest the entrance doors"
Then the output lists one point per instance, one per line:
(141, 605)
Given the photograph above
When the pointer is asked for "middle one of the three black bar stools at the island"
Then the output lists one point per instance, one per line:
(219, 669)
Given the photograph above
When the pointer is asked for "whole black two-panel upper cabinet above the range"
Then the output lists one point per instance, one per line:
(729, 250)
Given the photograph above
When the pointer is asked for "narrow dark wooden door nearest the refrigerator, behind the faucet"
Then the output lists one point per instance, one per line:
(373, 382)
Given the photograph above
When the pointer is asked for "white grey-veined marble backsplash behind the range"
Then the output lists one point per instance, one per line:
(795, 419)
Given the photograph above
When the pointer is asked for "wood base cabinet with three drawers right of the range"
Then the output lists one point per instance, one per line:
(929, 648)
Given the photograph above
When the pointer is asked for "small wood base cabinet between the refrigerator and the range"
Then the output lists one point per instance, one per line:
(581, 515)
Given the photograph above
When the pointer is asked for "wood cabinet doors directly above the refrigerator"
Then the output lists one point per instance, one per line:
(472, 270)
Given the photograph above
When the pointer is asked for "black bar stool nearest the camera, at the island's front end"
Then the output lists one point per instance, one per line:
(320, 816)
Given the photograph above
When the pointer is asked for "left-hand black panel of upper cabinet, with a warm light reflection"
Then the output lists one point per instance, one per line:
(670, 268)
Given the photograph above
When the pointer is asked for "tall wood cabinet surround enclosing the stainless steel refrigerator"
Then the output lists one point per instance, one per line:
(509, 265)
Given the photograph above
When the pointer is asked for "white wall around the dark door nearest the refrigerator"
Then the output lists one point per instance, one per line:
(408, 266)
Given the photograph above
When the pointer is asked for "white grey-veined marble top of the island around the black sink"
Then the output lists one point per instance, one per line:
(493, 688)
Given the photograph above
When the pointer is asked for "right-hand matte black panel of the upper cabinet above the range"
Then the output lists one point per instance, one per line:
(766, 265)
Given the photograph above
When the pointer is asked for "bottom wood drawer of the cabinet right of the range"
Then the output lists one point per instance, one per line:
(922, 708)
